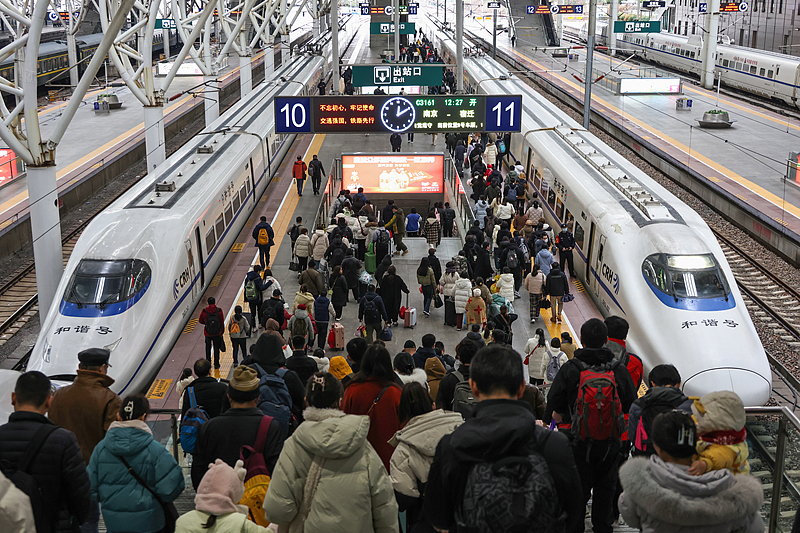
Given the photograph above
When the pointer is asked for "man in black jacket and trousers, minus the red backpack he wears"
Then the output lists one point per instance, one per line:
(597, 461)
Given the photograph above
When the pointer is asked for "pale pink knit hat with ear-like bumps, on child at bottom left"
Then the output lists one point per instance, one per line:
(221, 488)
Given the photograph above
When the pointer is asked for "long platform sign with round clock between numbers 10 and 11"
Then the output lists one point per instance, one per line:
(397, 113)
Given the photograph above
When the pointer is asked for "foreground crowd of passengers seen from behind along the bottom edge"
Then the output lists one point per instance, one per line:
(421, 441)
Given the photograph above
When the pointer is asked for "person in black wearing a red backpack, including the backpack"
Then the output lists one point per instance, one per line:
(588, 397)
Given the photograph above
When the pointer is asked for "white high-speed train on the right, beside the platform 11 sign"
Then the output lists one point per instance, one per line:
(641, 253)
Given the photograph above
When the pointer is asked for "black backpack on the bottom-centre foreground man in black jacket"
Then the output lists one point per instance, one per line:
(512, 494)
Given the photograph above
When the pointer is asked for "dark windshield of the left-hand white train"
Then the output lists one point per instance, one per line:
(100, 282)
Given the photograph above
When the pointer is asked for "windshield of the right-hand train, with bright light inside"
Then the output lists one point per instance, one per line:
(686, 276)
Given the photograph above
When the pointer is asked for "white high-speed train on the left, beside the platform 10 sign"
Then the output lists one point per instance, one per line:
(140, 268)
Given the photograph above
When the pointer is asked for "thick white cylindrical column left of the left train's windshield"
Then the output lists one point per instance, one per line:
(46, 232)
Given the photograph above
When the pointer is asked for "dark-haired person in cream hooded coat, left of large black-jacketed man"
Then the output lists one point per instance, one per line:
(415, 444)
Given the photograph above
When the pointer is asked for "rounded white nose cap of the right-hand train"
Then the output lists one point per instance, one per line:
(754, 389)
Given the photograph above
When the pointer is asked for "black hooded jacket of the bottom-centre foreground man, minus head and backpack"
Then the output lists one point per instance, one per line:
(498, 429)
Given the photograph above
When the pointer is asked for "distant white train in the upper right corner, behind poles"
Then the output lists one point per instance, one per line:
(763, 73)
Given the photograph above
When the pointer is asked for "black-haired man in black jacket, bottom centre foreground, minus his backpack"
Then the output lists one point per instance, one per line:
(501, 426)
